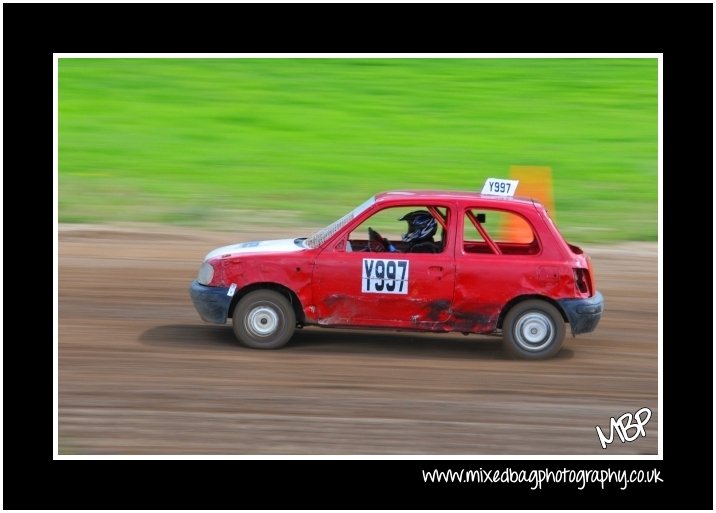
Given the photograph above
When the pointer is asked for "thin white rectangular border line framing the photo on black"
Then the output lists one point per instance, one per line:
(590, 457)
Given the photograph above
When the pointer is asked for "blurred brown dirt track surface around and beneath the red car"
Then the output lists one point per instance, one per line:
(140, 373)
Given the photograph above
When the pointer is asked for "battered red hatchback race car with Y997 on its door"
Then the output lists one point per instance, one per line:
(410, 260)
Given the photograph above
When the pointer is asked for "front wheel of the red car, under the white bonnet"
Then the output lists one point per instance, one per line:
(264, 319)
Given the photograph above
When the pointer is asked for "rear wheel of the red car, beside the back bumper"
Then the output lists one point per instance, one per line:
(533, 330)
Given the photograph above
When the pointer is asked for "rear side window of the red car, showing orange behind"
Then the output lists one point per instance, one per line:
(498, 231)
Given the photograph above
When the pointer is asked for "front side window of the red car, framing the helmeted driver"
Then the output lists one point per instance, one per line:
(415, 229)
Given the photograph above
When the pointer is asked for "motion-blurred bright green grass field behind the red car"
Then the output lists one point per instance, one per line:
(222, 143)
